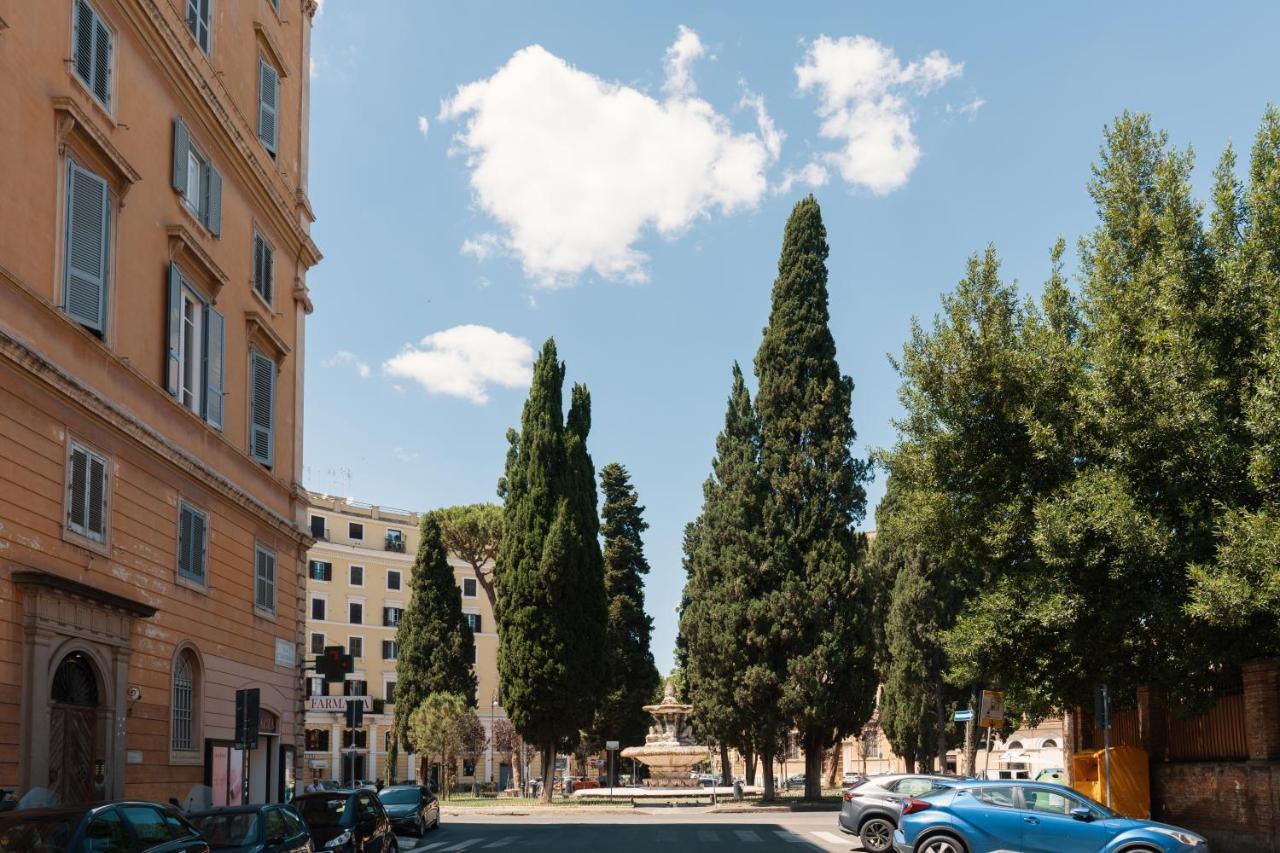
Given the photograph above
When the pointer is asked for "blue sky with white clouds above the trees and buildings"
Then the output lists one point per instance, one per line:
(618, 176)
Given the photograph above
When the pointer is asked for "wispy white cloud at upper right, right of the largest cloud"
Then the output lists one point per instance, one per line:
(866, 94)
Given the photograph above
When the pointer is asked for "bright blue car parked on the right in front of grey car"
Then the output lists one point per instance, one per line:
(1028, 818)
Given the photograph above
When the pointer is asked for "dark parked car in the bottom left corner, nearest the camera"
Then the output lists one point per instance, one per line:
(127, 825)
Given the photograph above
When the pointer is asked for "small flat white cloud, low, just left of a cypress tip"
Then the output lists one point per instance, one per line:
(464, 362)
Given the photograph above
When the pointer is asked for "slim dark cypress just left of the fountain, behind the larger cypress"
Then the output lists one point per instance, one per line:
(630, 677)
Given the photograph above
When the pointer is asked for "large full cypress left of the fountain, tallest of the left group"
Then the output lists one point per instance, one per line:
(550, 587)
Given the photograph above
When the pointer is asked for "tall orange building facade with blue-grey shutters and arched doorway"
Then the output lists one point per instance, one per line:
(154, 247)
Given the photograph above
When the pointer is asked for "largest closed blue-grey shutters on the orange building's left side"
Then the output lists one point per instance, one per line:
(88, 220)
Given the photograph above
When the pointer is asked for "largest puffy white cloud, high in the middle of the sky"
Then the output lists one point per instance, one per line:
(577, 170)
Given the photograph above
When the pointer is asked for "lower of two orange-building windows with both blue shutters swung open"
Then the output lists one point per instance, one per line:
(195, 363)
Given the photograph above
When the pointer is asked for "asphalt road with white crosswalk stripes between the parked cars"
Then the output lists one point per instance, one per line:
(641, 833)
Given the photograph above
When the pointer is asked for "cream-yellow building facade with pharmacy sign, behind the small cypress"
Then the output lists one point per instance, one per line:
(359, 577)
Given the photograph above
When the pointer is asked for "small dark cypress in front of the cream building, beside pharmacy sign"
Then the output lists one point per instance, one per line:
(435, 645)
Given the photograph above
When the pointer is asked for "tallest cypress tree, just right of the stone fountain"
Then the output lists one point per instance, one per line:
(816, 498)
